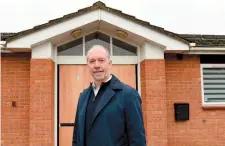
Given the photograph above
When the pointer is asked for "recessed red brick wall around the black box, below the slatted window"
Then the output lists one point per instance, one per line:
(205, 127)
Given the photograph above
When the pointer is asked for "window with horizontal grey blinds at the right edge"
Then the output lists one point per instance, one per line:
(213, 83)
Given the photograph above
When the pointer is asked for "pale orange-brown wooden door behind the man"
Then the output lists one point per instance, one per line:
(72, 80)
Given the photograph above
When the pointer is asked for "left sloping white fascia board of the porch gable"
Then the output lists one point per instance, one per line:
(50, 32)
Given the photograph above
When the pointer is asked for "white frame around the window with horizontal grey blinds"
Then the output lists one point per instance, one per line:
(202, 84)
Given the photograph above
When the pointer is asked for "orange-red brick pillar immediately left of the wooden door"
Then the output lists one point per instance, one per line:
(41, 102)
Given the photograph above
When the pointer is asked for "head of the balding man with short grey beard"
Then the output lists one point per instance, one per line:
(99, 63)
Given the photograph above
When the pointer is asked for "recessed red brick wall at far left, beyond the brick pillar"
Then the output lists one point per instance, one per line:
(15, 73)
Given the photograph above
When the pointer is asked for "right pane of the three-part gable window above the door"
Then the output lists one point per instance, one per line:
(123, 49)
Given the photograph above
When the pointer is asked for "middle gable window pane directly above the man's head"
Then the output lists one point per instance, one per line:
(96, 38)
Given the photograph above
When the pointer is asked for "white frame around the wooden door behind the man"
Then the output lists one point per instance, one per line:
(82, 60)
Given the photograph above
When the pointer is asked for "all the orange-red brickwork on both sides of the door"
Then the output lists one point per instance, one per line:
(162, 83)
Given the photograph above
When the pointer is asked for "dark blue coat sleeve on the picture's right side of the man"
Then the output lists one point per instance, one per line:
(134, 119)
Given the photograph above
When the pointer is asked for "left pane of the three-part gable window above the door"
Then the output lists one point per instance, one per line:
(74, 48)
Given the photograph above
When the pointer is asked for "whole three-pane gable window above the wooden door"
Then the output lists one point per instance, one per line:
(115, 46)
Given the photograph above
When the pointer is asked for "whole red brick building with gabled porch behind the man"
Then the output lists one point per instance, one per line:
(180, 77)
